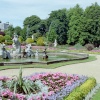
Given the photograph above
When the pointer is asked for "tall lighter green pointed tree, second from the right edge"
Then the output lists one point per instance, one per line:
(75, 16)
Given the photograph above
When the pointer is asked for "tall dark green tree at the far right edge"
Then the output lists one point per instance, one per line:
(92, 25)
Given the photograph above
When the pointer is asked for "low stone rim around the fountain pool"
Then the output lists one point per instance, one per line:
(80, 56)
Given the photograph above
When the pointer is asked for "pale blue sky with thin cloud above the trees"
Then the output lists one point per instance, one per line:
(15, 11)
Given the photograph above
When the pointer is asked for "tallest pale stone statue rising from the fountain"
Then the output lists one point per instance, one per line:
(16, 44)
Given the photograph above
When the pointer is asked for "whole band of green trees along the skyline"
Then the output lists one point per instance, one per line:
(71, 26)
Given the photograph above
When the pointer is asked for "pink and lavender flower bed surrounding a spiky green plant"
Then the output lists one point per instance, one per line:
(39, 86)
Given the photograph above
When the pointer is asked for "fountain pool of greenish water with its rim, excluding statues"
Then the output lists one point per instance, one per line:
(52, 58)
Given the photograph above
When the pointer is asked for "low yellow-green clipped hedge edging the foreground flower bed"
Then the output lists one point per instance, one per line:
(80, 92)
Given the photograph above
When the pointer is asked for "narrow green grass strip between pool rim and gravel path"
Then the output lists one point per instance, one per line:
(50, 66)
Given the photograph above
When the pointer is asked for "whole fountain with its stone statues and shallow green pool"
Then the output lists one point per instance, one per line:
(27, 56)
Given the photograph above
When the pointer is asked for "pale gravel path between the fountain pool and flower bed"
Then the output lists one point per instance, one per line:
(91, 69)
